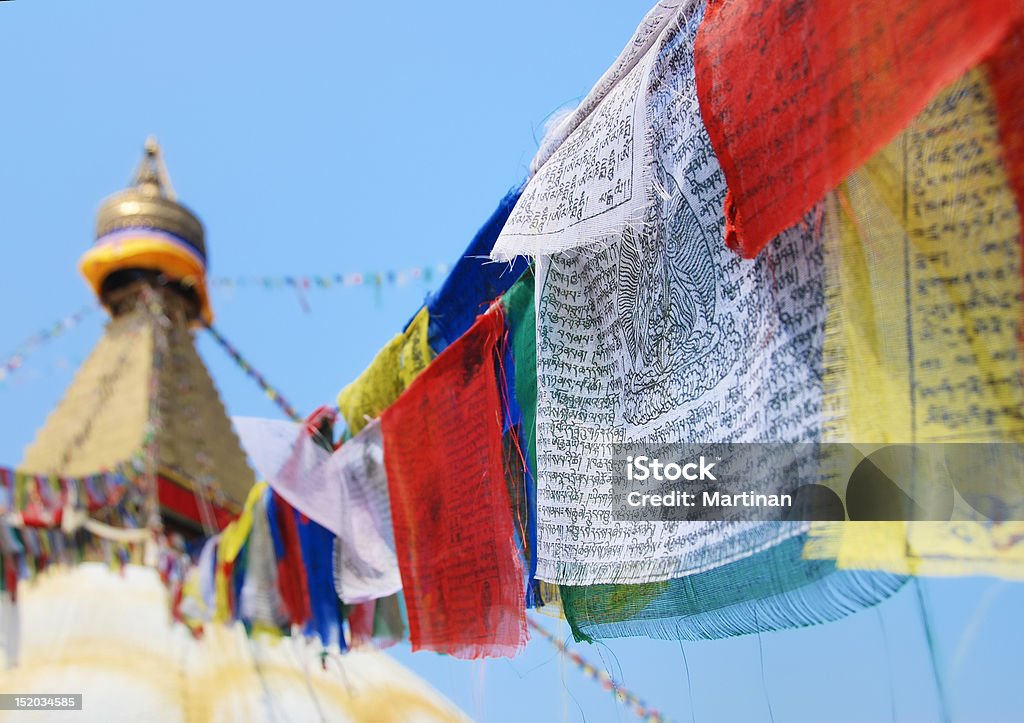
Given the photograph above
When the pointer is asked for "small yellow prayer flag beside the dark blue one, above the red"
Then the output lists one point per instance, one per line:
(393, 370)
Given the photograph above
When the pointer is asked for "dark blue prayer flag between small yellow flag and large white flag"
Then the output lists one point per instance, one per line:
(475, 281)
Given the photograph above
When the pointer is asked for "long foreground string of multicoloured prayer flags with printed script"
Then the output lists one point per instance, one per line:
(887, 278)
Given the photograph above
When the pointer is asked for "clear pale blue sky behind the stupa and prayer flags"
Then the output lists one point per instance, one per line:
(318, 138)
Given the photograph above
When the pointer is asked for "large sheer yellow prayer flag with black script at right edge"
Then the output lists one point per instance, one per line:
(924, 288)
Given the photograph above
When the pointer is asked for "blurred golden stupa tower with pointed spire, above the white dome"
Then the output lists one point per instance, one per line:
(144, 396)
